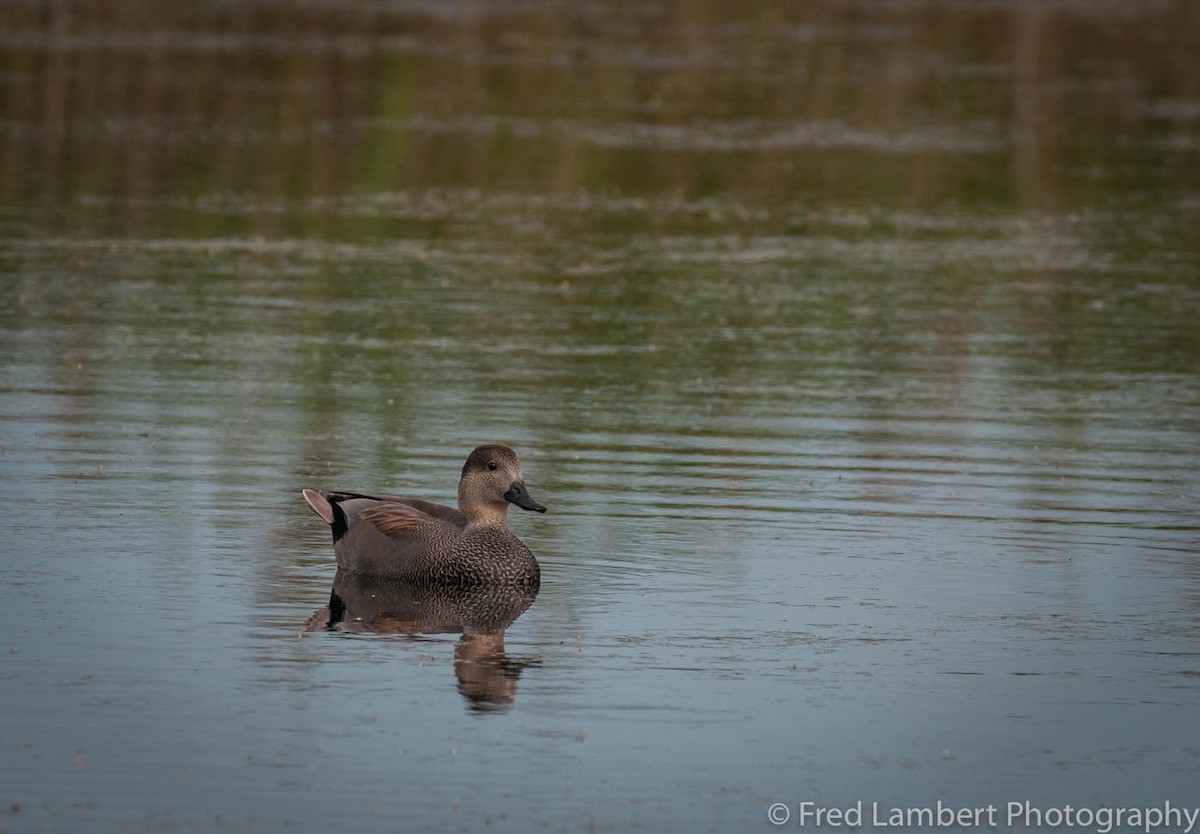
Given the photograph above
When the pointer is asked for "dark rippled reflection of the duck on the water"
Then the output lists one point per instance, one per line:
(488, 676)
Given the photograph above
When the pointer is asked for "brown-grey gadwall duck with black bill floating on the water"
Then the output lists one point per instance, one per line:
(425, 543)
